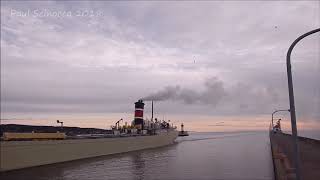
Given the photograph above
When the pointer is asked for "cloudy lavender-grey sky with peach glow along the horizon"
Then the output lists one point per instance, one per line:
(217, 65)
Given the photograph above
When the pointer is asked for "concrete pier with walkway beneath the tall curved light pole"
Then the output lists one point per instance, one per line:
(282, 153)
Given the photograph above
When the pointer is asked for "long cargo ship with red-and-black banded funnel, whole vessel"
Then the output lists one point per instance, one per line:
(28, 149)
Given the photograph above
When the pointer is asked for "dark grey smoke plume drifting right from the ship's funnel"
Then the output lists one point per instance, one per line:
(213, 92)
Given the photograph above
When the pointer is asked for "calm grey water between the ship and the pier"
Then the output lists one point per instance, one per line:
(229, 156)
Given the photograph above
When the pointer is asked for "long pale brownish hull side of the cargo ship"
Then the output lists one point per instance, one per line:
(23, 154)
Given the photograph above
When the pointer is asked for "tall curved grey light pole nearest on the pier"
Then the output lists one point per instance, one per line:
(292, 107)
